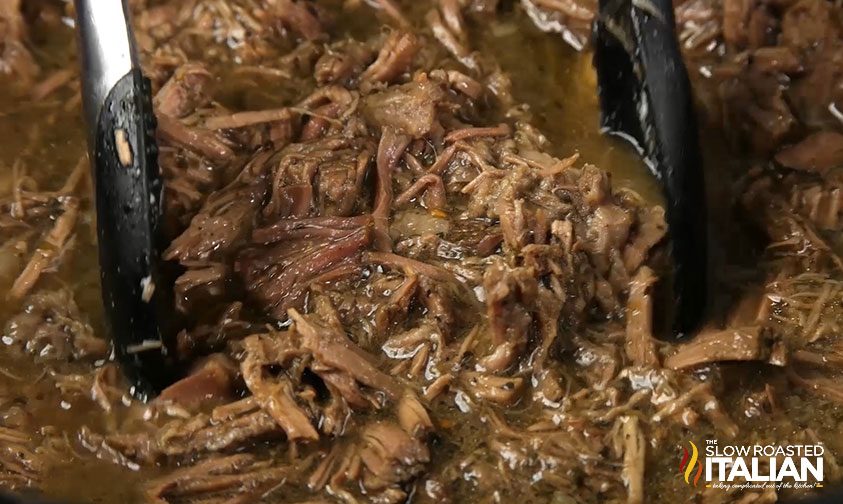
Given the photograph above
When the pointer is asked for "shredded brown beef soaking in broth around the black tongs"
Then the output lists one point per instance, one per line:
(391, 286)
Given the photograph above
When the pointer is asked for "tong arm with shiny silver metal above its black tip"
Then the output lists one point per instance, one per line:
(127, 186)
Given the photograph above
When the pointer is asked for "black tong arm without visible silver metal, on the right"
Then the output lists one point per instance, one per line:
(645, 97)
